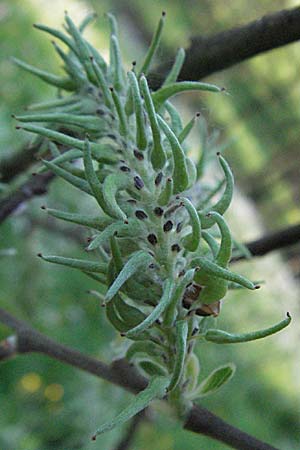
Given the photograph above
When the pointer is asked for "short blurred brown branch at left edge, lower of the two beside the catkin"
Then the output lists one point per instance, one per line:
(36, 185)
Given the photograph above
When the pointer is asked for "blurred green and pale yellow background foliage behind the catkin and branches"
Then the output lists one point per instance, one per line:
(47, 405)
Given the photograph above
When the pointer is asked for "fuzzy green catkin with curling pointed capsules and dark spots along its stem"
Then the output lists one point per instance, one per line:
(157, 262)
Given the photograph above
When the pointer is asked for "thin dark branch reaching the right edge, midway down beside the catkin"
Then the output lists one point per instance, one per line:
(273, 241)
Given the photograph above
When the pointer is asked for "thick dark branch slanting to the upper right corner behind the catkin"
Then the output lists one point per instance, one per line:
(209, 54)
